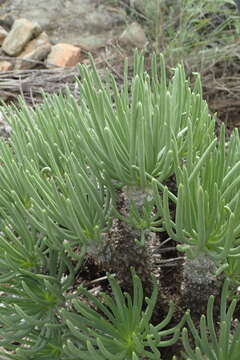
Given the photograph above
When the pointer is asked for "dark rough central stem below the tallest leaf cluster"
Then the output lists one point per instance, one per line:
(122, 250)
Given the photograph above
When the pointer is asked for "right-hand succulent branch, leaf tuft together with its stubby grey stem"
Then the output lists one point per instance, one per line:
(206, 225)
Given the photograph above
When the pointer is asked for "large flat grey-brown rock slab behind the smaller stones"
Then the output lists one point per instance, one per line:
(72, 21)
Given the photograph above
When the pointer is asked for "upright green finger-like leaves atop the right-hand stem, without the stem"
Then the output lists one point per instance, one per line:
(207, 204)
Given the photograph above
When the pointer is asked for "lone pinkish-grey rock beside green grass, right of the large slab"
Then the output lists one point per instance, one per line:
(133, 35)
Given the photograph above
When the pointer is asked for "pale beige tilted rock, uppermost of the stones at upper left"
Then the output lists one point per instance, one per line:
(22, 31)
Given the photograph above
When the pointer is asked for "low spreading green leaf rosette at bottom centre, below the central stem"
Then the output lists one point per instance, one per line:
(118, 327)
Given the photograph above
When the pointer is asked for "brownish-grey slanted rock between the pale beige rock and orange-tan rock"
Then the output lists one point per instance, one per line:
(36, 50)
